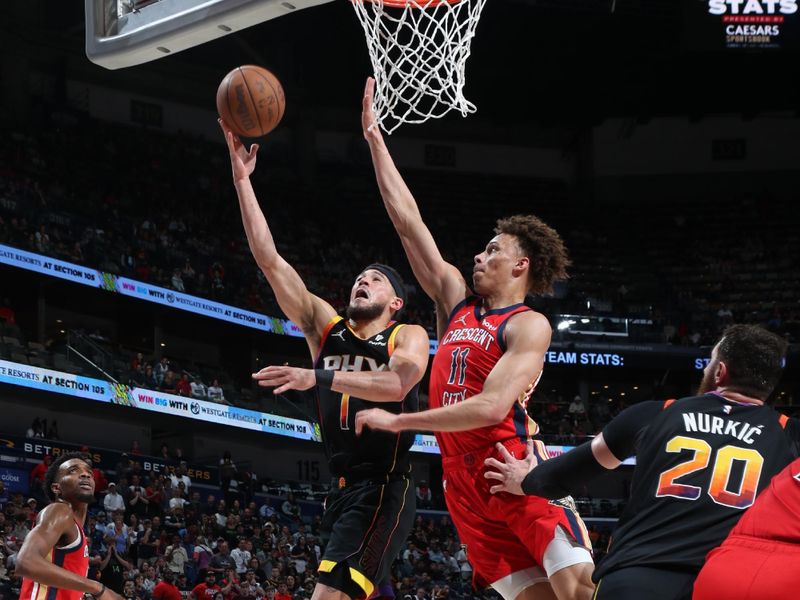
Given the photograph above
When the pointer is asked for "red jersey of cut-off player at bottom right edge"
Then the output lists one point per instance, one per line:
(776, 512)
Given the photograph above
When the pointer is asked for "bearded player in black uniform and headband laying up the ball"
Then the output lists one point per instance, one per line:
(362, 361)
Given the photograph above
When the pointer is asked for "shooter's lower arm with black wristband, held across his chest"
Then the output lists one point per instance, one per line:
(406, 368)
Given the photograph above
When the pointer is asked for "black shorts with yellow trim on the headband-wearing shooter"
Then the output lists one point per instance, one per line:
(364, 527)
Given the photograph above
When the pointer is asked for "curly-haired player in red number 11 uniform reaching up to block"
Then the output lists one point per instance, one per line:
(491, 354)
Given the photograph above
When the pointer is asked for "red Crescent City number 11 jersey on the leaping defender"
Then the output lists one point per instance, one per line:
(468, 350)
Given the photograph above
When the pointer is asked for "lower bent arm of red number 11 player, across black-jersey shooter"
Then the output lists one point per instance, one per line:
(527, 339)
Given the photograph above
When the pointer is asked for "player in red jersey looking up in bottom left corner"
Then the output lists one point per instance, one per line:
(54, 559)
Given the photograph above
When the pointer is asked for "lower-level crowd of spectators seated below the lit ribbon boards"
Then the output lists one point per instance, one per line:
(151, 528)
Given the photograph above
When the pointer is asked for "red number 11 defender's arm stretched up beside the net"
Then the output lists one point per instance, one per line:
(440, 280)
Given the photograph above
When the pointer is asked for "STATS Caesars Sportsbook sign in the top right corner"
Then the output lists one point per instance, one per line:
(752, 23)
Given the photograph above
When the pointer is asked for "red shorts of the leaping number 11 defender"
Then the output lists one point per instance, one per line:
(505, 533)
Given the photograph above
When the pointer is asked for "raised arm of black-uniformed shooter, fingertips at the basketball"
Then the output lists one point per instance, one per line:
(308, 311)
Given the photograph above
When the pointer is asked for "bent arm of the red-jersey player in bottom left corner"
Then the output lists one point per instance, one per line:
(55, 522)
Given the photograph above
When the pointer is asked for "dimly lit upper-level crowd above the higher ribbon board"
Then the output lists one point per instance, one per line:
(179, 228)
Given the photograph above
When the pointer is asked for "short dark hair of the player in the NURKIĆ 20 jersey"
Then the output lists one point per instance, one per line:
(754, 357)
